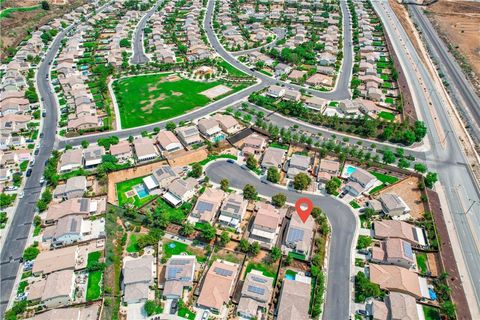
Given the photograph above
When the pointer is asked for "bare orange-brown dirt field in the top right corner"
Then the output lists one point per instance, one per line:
(458, 22)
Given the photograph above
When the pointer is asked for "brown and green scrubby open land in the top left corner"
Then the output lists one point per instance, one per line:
(14, 28)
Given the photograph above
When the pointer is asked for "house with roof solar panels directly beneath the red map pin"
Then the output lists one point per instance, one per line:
(299, 238)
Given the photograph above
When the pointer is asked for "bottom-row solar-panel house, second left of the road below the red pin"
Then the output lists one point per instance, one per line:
(255, 296)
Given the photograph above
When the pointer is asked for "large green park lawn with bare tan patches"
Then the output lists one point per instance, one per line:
(149, 99)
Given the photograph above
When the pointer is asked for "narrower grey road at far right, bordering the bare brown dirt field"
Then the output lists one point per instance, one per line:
(461, 87)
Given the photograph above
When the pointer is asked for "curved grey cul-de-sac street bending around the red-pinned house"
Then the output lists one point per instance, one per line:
(340, 216)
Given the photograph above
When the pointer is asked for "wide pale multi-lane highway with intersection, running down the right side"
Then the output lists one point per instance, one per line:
(446, 156)
